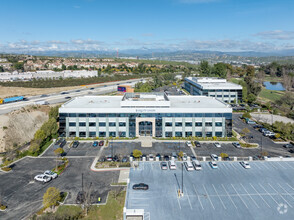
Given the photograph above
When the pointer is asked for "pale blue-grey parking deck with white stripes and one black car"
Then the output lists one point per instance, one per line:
(266, 191)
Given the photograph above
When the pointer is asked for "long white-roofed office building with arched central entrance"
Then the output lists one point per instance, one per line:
(145, 114)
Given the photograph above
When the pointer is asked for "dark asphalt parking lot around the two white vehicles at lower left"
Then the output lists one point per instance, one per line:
(23, 195)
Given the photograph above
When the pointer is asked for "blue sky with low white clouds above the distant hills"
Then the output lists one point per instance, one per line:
(221, 25)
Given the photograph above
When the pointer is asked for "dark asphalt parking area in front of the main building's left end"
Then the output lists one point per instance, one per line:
(83, 149)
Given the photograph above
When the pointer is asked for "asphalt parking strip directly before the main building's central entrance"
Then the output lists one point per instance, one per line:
(122, 149)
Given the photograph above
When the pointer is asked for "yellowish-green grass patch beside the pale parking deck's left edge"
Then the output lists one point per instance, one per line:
(113, 210)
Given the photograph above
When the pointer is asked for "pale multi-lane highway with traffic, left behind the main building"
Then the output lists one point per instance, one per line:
(53, 98)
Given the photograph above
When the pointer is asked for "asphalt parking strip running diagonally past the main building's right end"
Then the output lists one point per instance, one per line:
(268, 145)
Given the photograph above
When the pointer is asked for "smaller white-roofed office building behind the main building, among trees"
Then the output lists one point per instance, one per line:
(214, 87)
